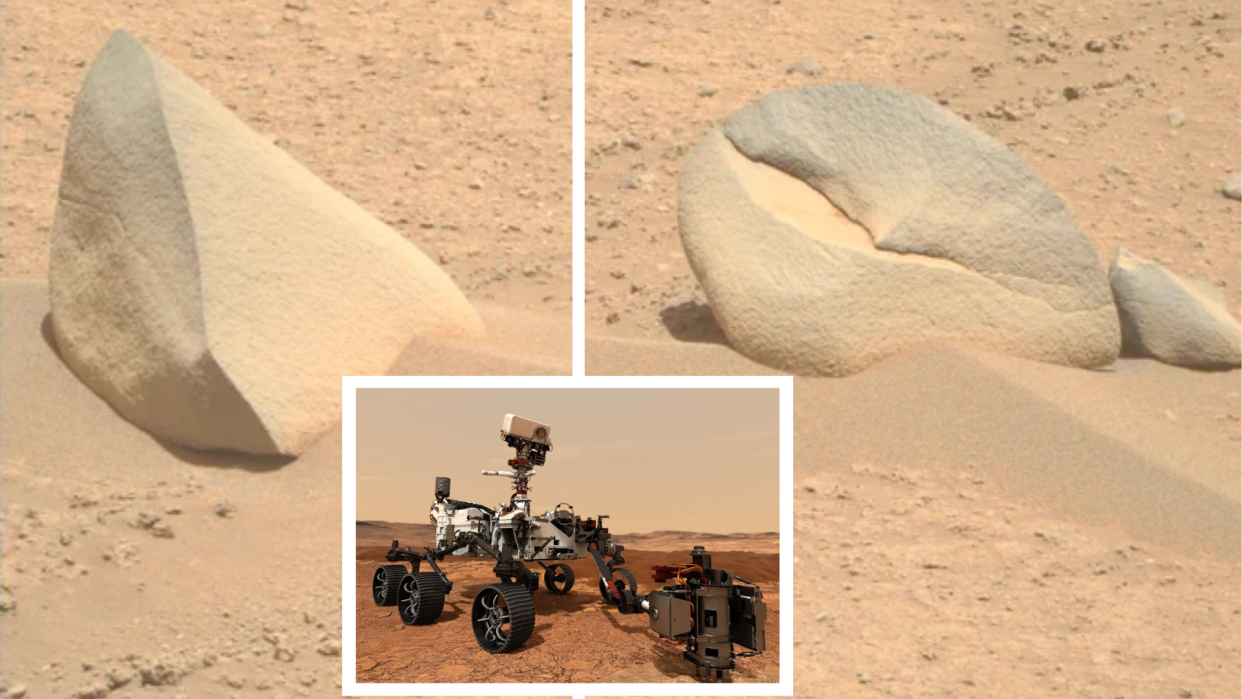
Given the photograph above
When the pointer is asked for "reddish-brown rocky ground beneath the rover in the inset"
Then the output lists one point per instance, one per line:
(577, 638)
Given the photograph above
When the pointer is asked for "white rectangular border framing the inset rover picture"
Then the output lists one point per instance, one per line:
(350, 516)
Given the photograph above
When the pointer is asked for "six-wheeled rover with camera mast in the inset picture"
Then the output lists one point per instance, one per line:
(704, 608)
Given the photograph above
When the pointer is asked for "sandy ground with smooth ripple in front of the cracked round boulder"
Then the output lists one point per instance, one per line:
(969, 525)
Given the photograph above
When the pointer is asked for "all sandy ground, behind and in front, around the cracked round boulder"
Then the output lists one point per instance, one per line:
(967, 525)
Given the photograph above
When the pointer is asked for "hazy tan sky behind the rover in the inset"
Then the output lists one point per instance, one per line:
(696, 460)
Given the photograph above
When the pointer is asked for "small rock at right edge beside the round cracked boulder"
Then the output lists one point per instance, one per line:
(1176, 320)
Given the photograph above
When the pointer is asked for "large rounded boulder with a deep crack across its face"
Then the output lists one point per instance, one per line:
(834, 227)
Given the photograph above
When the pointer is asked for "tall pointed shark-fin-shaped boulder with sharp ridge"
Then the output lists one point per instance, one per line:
(208, 286)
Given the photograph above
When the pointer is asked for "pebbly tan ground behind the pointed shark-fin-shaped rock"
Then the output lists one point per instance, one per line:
(448, 121)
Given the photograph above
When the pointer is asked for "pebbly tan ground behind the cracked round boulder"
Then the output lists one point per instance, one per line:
(659, 75)
